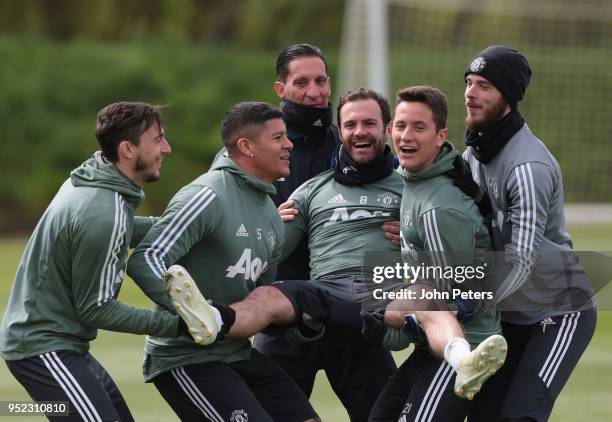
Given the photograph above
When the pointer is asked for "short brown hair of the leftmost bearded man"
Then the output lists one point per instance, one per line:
(124, 121)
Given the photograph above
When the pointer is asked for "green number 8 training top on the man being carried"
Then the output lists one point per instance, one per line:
(343, 223)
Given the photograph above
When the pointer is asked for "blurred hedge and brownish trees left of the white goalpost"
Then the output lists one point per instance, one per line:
(63, 60)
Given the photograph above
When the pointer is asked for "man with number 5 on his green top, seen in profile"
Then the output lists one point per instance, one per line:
(226, 231)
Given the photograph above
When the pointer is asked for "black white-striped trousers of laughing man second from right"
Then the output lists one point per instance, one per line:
(422, 389)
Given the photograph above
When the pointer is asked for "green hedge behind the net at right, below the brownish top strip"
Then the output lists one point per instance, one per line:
(566, 105)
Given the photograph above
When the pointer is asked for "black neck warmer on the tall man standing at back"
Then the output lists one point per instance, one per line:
(306, 126)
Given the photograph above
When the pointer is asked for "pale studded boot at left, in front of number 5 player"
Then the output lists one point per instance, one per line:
(191, 305)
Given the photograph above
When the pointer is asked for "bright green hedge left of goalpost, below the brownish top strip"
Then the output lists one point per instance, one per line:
(52, 92)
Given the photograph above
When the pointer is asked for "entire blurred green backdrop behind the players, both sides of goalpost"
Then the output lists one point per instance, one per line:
(63, 60)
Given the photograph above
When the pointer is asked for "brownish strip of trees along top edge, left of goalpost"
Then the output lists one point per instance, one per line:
(246, 23)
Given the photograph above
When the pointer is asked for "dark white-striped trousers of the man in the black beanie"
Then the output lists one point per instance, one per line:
(541, 358)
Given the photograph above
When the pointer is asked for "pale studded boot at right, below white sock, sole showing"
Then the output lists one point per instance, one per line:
(480, 365)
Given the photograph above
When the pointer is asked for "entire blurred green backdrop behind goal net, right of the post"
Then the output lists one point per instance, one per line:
(568, 45)
